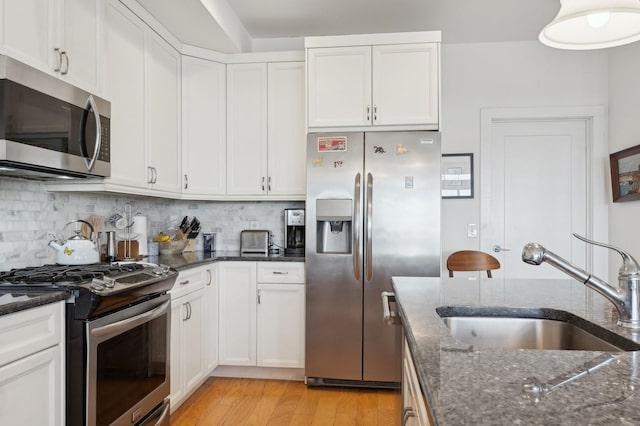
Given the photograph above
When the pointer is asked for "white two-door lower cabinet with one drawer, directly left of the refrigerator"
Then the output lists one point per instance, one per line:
(262, 314)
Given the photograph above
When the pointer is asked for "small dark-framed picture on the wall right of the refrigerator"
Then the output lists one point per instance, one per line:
(457, 176)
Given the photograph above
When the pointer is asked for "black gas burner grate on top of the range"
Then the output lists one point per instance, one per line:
(63, 274)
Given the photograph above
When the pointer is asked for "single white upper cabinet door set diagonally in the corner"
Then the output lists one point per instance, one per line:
(204, 161)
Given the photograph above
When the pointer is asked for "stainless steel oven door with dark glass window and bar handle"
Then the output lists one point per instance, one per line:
(128, 363)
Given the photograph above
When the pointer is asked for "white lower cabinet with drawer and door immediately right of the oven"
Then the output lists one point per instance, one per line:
(187, 334)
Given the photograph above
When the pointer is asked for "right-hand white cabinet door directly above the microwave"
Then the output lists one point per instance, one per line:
(81, 41)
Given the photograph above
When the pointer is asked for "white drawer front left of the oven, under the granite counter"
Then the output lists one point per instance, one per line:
(30, 331)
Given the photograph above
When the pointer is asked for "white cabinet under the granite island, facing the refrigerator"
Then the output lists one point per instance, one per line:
(414, 408)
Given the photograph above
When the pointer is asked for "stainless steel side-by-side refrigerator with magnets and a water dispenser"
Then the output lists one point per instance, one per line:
(373, 212)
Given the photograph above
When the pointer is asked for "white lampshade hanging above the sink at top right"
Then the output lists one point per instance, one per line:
(593, 24)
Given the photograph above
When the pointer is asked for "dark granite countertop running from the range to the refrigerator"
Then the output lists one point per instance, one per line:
(192, 259)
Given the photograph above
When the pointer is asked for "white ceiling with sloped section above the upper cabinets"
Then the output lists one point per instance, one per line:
(220, 24)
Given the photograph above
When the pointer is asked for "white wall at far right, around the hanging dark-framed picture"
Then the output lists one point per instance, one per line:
(624, 132)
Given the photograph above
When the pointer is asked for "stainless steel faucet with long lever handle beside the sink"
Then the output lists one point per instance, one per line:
(626, 298)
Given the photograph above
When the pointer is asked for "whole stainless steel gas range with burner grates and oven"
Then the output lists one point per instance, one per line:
(117, 338)
